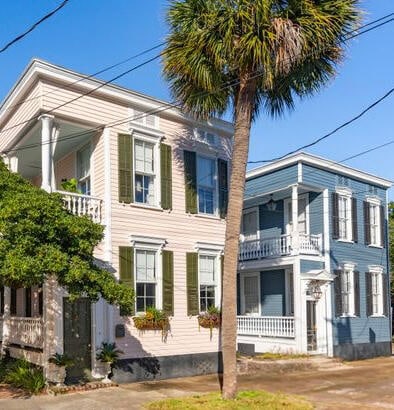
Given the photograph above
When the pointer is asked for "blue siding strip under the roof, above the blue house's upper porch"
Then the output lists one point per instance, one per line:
(271, 182)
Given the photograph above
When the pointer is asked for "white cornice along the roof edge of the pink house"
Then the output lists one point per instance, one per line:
(42, 69)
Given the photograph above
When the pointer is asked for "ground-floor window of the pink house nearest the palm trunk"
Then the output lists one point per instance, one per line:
(208, 281)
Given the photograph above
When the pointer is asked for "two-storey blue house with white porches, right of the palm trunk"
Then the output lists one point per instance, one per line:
(313, 261)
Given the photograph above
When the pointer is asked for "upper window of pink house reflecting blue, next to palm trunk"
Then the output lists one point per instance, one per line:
(206, 180)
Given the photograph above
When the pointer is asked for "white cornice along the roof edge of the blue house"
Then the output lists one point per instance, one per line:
(321, 163)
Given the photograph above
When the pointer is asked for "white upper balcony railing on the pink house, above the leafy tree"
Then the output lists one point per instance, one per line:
(81, 205)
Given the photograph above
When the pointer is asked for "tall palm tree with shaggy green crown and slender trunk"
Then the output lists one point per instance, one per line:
(249, 56)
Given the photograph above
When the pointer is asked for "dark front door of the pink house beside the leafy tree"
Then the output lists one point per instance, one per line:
(77, 337)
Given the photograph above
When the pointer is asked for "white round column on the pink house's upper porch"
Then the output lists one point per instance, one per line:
(46, 151)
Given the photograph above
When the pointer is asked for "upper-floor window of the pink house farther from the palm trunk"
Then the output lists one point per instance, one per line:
(144, 175)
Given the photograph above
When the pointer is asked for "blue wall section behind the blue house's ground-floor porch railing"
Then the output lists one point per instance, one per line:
(273, 293)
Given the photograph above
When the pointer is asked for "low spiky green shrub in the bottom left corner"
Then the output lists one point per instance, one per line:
(26, 376)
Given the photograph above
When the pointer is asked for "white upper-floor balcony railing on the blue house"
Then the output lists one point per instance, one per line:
(278, 246)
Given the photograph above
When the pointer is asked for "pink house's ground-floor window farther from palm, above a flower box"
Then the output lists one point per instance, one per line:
(146, 279)
